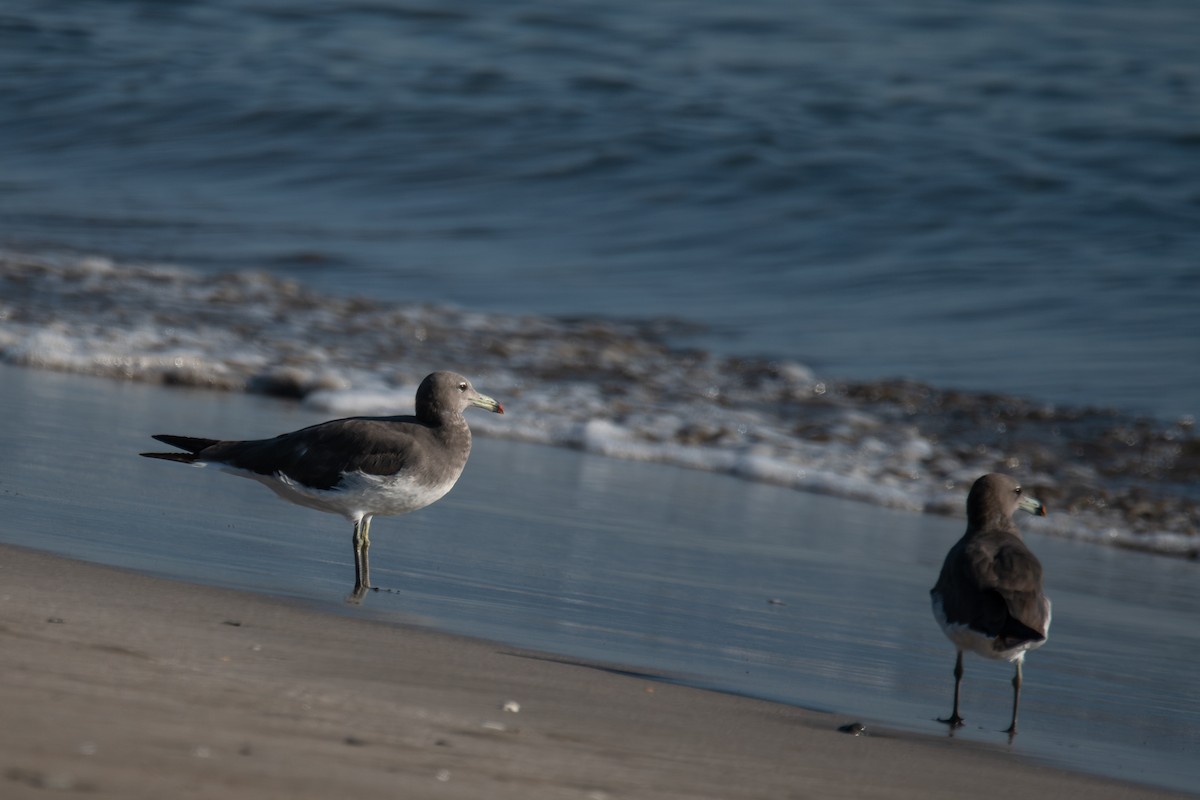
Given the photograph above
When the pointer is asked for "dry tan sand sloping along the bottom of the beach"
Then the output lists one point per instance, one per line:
(123, 685)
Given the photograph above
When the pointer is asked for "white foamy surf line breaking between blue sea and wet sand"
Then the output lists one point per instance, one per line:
(610, 388)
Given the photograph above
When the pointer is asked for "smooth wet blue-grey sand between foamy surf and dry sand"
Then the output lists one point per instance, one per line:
(693, 579)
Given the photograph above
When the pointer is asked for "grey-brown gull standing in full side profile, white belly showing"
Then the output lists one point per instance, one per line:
(359, 467)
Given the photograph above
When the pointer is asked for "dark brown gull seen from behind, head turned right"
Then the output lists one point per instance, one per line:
(989, 597)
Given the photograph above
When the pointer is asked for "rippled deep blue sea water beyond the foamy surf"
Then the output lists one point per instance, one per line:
(991, 197)
